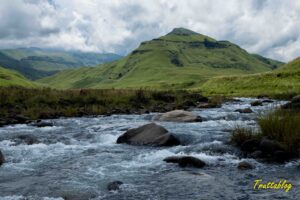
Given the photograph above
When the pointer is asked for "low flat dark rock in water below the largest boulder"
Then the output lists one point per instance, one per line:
(184, 161)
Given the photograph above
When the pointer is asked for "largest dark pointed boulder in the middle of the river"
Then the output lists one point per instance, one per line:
(149, 134)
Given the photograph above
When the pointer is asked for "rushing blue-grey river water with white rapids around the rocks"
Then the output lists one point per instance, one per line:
(78, 157)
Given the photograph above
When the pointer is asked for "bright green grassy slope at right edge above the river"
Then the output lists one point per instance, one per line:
(281, 82)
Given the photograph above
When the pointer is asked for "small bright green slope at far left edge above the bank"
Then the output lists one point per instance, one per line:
(12, 78)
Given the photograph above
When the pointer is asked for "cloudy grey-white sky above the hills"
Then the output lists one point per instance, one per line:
(267, 27)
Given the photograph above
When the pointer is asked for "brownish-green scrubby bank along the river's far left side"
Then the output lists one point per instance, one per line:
(51, 103)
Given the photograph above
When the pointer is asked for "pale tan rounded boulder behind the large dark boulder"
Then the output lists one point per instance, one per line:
(178, 116)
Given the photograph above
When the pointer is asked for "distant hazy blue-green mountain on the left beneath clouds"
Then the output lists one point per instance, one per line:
(35, 63)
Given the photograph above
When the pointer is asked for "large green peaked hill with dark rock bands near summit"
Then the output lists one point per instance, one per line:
(178, 60)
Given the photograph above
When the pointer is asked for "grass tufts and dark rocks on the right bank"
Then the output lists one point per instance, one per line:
(277, 139)
